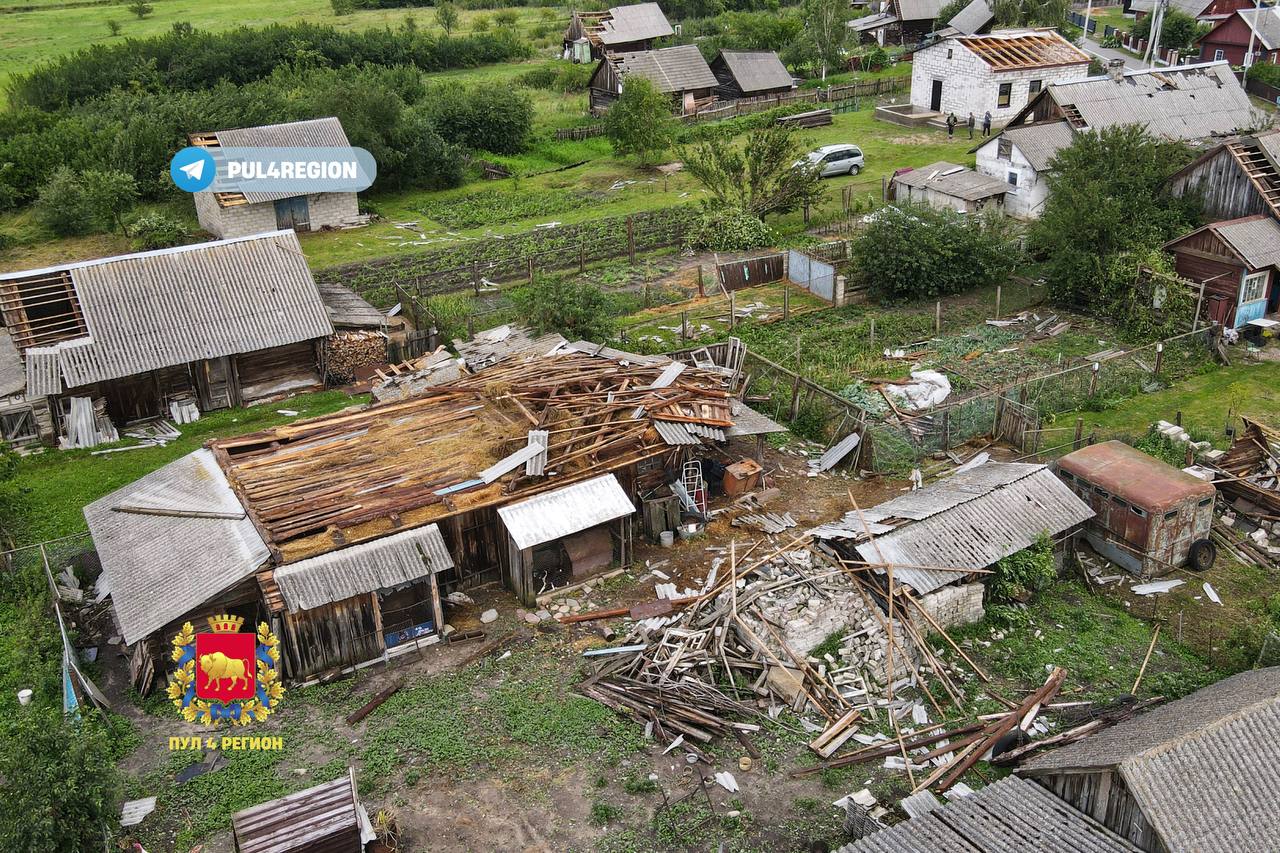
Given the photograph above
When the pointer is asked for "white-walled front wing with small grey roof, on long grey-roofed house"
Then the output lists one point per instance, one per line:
(1020, 156)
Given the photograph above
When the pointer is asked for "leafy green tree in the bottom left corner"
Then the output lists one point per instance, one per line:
(62, 783)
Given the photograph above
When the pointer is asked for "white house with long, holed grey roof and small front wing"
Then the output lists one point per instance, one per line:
(1195, 104)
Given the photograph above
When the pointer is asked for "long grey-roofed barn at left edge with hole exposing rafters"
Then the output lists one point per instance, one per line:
(93, 346)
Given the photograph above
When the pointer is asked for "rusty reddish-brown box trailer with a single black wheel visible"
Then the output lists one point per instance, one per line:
(1149, 517)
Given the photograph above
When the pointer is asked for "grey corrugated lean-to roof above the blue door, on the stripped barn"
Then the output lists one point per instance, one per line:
(382, 564)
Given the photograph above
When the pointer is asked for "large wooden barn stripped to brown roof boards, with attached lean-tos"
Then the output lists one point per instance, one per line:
(345, 532)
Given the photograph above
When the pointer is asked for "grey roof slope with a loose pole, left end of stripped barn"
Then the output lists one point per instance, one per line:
(159, 567)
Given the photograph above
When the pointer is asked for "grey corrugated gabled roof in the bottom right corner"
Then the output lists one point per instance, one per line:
(1205, 769)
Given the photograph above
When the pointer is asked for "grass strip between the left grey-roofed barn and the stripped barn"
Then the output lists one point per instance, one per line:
(47, 498)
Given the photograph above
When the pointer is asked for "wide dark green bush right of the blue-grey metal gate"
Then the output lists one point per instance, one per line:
(917, 253)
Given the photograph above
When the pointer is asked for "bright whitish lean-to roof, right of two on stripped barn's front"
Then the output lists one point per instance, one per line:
(565, 512)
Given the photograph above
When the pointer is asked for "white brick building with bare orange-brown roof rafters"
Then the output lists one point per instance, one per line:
(998, 72)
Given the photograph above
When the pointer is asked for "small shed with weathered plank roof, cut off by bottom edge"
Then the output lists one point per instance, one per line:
(326, 819)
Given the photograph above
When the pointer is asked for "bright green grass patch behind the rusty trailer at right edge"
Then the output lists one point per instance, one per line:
(1252, 390)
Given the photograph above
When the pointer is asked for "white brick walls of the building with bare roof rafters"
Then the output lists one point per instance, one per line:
(970, 85)
